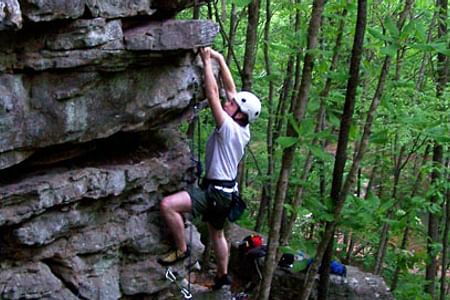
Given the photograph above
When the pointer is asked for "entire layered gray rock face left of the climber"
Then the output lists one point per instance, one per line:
(92, 93)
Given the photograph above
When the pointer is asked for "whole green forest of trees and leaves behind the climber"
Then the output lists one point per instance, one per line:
(349, 159)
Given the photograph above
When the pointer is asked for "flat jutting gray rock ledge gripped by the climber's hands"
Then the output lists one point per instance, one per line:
(101, 44)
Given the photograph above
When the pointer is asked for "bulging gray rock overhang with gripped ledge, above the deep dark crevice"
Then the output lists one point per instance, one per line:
(90, 78)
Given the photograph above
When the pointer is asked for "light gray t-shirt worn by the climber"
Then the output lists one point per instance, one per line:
(225, 148)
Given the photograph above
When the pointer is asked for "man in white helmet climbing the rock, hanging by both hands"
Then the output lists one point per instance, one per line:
(225, 148)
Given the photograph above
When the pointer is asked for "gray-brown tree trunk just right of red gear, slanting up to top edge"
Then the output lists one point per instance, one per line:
(288, 154)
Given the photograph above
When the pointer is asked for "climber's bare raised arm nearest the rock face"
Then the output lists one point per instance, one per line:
(211, 87)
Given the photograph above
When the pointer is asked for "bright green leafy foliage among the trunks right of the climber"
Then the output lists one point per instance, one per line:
(409, 116)
